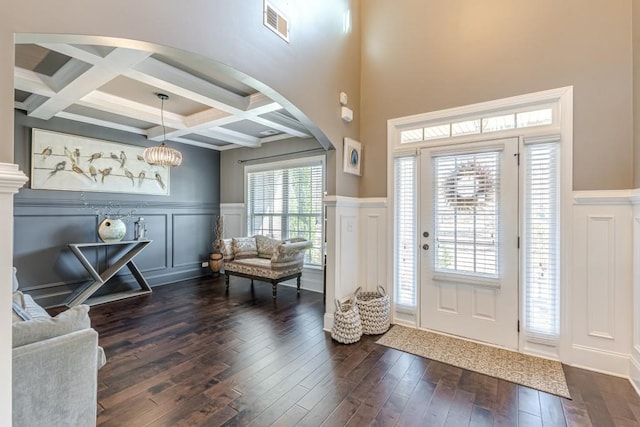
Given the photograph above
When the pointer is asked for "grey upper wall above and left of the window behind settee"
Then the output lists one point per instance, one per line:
(232, 172)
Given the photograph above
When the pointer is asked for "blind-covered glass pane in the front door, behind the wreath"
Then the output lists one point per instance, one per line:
(467, 214)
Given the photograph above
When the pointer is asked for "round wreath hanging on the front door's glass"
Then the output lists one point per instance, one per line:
(461, 198)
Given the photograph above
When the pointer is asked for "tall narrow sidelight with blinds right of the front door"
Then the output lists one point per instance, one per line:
(541, 275)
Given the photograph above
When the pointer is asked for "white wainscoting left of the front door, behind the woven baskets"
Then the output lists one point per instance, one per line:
(356, 248)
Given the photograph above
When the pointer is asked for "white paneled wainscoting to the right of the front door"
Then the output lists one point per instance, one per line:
(602, 282)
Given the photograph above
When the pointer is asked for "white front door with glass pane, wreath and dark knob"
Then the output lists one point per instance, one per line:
(469, 240)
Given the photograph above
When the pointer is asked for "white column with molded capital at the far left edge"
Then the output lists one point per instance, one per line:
(11, 179)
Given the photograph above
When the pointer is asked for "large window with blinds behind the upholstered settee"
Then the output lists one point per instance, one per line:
(286, 202)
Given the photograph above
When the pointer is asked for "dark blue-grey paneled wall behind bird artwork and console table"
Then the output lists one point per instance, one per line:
(180, 225)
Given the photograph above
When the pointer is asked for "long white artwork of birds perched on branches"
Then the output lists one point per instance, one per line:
(61, 161)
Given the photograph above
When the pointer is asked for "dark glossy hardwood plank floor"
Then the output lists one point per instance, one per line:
(190, 354)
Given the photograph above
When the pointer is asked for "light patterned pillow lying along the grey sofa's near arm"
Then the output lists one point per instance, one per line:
(74, 319)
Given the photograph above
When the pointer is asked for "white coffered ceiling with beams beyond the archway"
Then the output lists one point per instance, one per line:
(117, 88)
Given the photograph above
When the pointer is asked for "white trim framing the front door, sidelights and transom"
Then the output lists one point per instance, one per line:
(562, 101)
